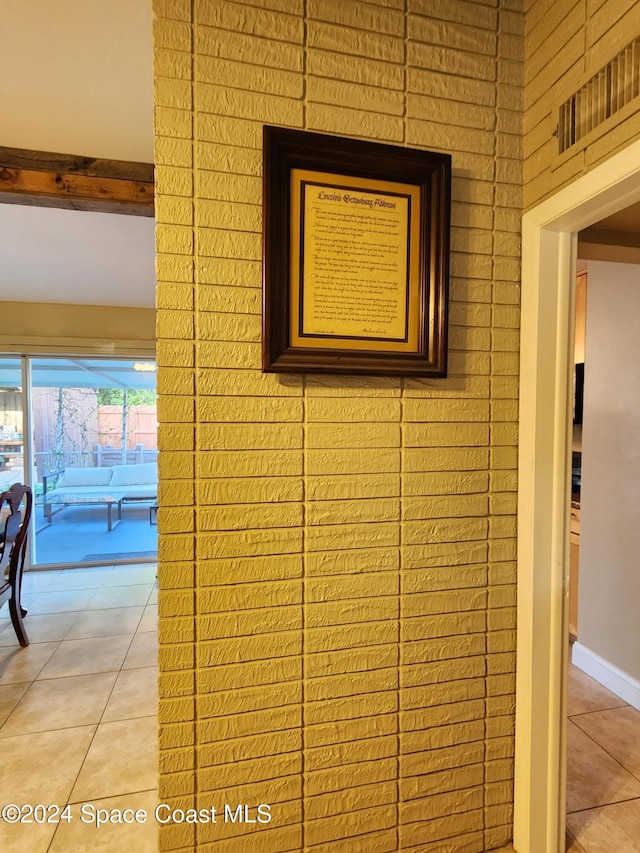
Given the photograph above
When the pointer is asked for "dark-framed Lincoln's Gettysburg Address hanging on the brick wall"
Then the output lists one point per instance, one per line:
(356, 256)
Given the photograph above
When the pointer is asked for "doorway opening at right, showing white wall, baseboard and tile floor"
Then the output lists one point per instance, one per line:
(603, 705)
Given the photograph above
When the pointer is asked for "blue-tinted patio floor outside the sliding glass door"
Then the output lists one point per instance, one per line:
(78, 534)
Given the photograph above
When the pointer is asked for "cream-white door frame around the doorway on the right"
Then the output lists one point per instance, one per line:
(548, 281)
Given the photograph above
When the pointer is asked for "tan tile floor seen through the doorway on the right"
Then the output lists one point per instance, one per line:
(603, 770)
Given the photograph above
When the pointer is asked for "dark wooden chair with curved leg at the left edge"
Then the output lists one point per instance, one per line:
(14, 525)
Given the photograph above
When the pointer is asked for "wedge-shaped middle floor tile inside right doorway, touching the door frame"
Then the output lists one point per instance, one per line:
(593, 777)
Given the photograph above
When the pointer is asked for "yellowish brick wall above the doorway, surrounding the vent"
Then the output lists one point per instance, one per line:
(567, 42)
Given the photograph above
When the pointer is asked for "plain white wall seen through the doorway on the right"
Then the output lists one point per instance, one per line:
(609, 589)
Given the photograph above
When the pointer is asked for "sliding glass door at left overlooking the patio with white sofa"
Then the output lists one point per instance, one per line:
(90, 456)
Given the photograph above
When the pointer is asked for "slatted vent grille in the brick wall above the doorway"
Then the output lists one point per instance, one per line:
(601, 97)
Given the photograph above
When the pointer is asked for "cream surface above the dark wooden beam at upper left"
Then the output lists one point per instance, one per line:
(76, 77)
